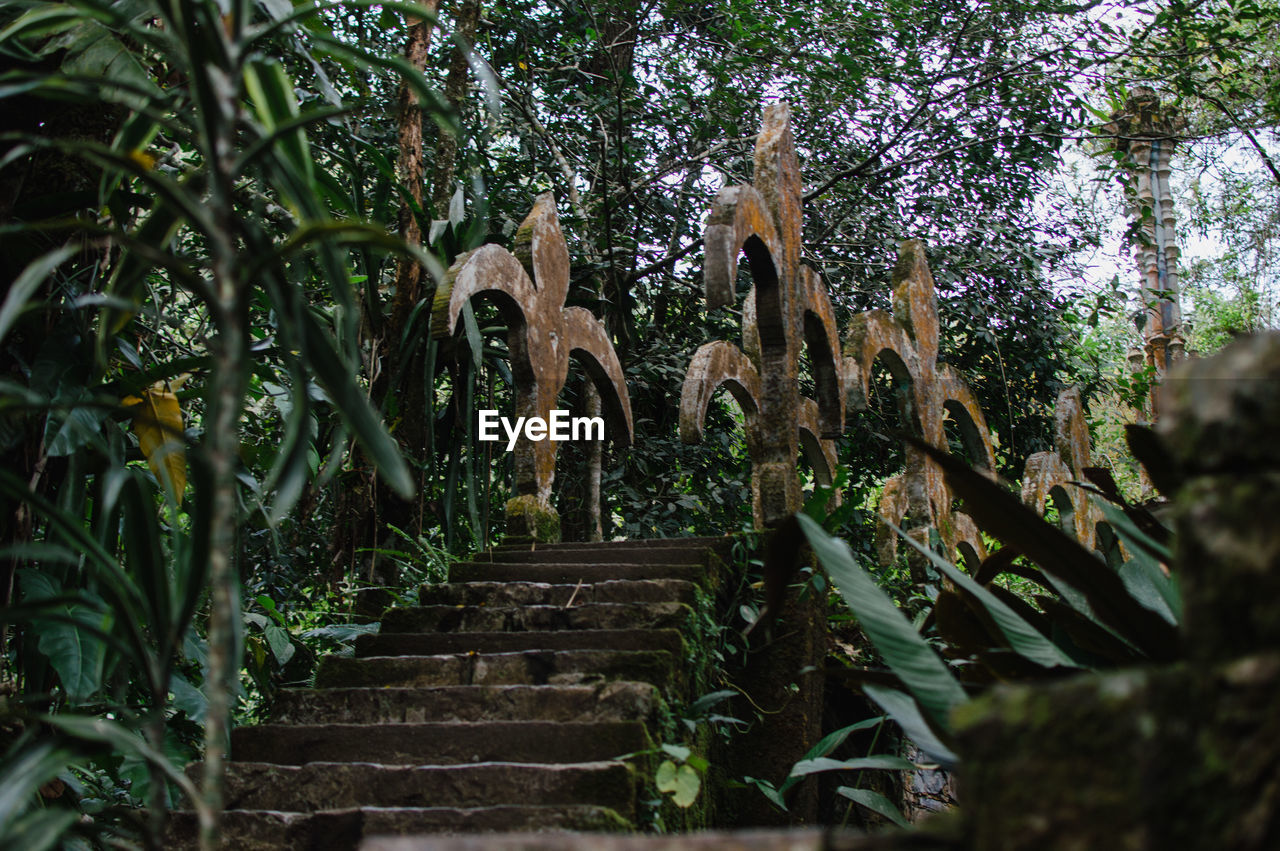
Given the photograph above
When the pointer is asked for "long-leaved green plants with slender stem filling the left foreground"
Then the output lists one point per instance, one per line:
(226, 254)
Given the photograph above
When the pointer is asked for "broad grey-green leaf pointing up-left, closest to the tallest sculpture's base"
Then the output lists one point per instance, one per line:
(911, 657)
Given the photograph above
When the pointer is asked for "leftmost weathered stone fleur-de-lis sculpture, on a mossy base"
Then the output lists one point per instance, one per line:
(529, 290)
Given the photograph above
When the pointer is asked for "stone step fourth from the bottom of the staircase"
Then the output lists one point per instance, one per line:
(602, 702)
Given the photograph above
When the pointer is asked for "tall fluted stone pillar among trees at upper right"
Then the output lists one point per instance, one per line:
(1145, 131)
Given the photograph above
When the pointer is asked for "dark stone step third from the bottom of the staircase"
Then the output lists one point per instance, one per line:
(441, 744)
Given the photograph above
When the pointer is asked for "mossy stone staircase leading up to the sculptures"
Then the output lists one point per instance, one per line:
(502, 703)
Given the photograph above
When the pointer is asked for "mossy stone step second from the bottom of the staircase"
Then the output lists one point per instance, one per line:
(339, 786)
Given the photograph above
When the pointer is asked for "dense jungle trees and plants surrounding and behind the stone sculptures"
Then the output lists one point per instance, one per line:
(227, 432)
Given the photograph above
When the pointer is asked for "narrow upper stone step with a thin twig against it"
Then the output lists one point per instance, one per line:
(547, 594)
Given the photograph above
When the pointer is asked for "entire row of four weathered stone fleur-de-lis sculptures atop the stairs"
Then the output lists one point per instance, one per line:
(788, 314)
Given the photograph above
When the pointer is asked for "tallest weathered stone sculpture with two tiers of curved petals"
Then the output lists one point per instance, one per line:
(788, 309)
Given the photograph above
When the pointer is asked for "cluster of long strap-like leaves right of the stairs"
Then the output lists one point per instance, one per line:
(1090, 611)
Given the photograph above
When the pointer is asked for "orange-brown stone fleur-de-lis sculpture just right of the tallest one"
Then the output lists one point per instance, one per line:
(907, 344)
